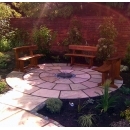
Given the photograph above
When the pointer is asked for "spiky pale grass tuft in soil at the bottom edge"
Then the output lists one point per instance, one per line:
(86, 120)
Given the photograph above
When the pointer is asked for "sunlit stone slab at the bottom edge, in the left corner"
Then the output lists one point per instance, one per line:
(25, 119)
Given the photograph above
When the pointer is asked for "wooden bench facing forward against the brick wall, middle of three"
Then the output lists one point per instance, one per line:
(88, 52)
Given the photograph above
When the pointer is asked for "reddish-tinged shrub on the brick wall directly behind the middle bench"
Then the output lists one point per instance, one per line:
(74, 35)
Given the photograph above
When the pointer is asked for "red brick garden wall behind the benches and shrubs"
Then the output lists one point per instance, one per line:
(89, 29)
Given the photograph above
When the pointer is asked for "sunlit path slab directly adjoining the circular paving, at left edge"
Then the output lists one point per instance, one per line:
(21, 100)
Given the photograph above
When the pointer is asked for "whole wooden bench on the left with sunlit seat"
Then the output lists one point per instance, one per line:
(23, 54)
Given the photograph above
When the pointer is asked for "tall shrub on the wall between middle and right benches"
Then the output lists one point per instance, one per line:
(108, 33)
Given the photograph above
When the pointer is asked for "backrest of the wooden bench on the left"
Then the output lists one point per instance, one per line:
(24, 50)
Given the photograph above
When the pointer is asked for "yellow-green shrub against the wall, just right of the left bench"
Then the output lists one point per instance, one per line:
(43, 37)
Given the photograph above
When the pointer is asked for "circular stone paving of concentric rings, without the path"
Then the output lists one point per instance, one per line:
(44, 82)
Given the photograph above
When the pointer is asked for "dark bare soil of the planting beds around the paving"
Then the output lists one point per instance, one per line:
(69, 115)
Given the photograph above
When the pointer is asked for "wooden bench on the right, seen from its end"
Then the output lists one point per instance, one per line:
(110, 70)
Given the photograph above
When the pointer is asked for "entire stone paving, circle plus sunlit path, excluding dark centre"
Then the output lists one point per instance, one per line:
(31, 89)
